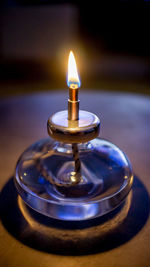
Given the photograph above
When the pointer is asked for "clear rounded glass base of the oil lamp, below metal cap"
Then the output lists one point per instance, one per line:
(43, 175)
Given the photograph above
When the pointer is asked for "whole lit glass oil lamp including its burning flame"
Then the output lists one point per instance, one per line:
(73, 175)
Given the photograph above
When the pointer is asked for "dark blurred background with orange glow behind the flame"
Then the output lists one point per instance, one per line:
(110, 40)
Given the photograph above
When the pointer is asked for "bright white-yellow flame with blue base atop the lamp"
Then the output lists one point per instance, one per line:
(73, 80)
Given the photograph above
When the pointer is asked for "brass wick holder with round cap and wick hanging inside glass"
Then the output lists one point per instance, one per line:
(74, 127)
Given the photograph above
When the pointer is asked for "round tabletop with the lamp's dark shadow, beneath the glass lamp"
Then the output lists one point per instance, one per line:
(120, 239)
